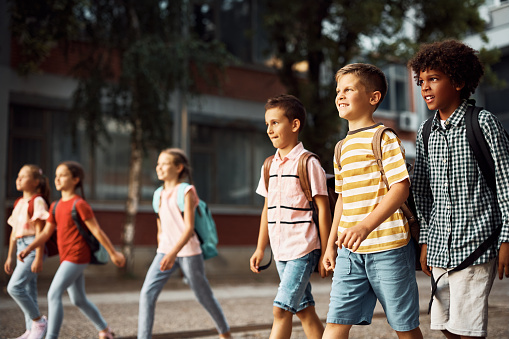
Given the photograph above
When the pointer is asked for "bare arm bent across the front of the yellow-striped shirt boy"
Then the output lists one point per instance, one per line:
(352, 237)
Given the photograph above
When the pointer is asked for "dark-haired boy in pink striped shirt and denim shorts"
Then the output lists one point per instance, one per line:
(287, 221)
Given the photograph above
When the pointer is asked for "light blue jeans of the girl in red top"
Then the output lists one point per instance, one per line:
(69, 276)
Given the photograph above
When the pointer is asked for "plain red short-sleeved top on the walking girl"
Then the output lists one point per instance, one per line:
(72, 246)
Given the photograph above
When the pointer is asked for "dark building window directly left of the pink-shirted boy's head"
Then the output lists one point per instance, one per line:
(227, 163)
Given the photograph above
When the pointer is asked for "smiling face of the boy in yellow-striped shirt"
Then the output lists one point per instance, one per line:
(353, 101)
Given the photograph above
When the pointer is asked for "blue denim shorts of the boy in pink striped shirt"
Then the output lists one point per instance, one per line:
(294, 292)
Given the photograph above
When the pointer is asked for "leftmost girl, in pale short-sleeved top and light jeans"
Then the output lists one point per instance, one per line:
(27, 221)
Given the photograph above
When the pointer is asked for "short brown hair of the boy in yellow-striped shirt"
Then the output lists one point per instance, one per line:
(369, 76)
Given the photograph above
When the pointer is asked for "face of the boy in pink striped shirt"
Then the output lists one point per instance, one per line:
(282, 132)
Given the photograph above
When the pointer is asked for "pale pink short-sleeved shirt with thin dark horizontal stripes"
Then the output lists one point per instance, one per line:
(292, 232)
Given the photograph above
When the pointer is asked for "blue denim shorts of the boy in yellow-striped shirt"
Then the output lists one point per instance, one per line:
(360, 279)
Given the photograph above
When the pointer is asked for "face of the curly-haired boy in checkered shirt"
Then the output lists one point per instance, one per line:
(439, 93)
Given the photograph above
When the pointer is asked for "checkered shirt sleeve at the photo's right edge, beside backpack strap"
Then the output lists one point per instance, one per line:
(499, 145)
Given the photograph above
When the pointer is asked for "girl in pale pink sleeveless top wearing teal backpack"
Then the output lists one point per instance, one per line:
(178, 246)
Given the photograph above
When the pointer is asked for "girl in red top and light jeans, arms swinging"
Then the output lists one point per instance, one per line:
(73, 249)
